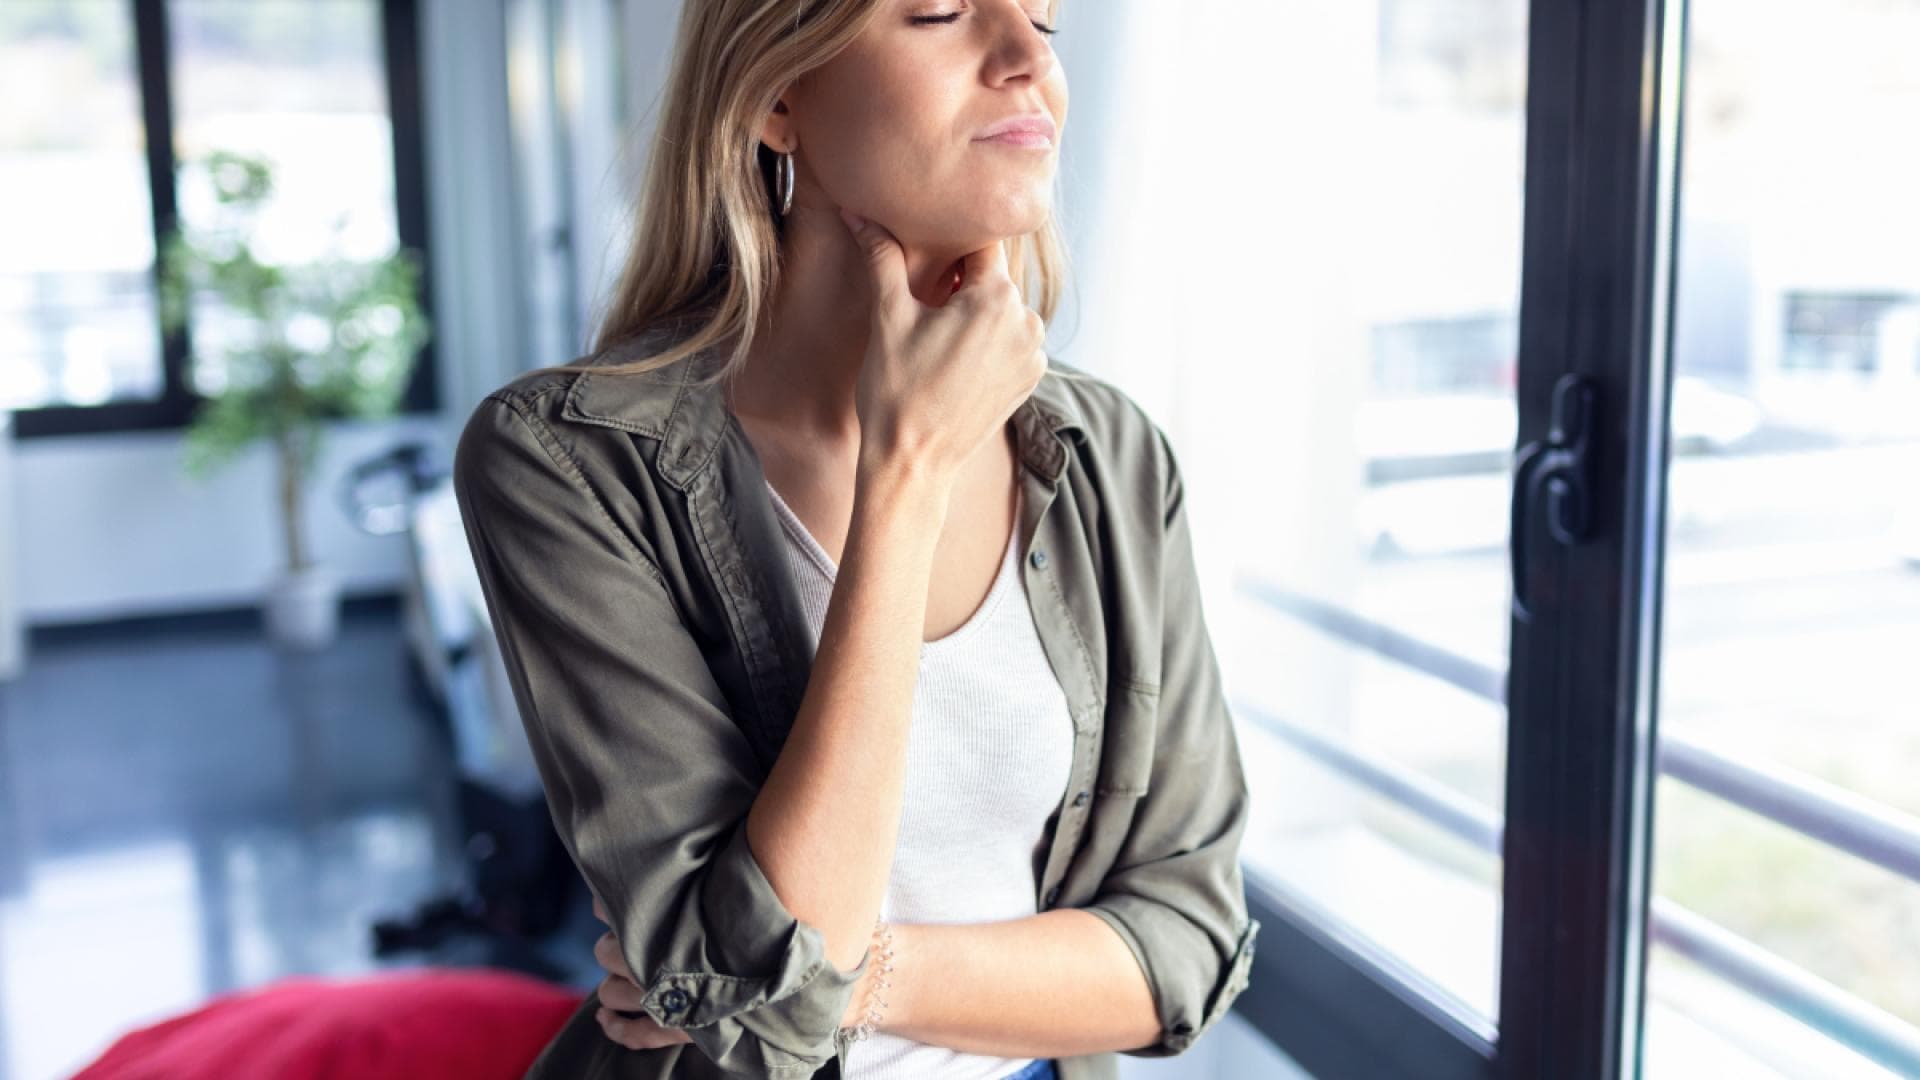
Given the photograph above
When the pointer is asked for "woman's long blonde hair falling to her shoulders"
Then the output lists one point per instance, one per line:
(706, 249)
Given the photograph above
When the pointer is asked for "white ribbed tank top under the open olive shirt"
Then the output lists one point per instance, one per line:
(988, 762)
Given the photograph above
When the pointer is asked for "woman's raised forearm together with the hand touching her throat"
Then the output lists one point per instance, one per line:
(936, 385)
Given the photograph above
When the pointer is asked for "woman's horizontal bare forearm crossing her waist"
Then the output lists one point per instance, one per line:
(1053, 985)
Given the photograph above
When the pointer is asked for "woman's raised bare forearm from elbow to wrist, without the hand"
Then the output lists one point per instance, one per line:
(827, 822)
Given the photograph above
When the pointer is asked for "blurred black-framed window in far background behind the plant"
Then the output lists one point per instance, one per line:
(327, 89)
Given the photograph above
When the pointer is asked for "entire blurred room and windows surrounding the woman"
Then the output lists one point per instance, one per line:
(1547, 380)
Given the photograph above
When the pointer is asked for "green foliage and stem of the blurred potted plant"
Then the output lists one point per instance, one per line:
(299, 343)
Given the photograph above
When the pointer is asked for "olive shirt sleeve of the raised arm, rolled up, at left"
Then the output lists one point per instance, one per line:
(646, 773)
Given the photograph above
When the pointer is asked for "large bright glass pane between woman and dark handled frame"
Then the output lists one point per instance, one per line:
(1341, 249)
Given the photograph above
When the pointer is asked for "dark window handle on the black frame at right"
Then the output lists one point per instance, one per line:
(1562, 466)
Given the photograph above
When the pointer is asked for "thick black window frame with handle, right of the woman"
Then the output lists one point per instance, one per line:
(1602, 82)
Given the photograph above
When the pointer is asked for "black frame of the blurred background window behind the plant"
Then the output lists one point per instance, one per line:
(178, 405)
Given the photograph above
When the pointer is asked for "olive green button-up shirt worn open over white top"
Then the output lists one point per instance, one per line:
(658, 652)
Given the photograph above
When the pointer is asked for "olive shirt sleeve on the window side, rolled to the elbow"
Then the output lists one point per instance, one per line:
(1176, 893)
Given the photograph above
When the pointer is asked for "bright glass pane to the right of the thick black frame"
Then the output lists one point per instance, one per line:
(1787, 864)
